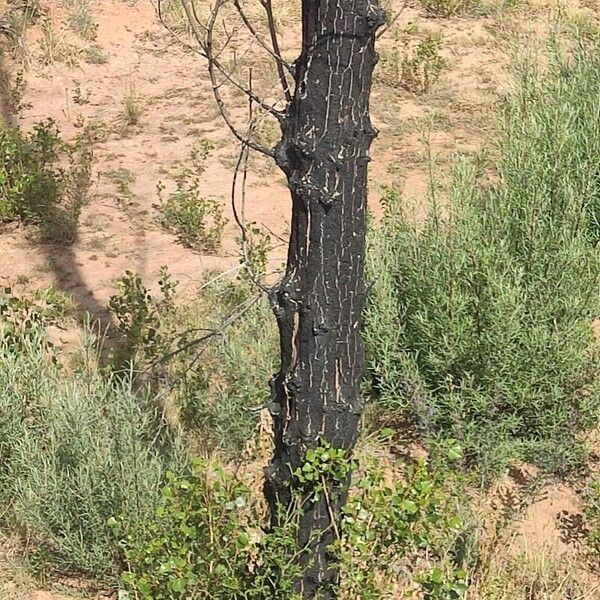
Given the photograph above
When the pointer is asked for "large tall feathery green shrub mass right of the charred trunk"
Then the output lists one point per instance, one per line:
(479, 320)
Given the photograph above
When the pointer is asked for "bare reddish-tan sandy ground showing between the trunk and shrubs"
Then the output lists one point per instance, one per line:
(119, 231)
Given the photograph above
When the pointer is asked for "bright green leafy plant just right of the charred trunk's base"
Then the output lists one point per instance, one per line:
(391, 530)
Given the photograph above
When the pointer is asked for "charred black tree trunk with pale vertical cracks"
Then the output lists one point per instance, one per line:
(324, 154)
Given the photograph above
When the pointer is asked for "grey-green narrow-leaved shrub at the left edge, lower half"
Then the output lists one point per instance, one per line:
(75, 451)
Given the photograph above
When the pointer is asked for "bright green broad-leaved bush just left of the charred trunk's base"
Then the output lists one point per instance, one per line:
(204, 542)
